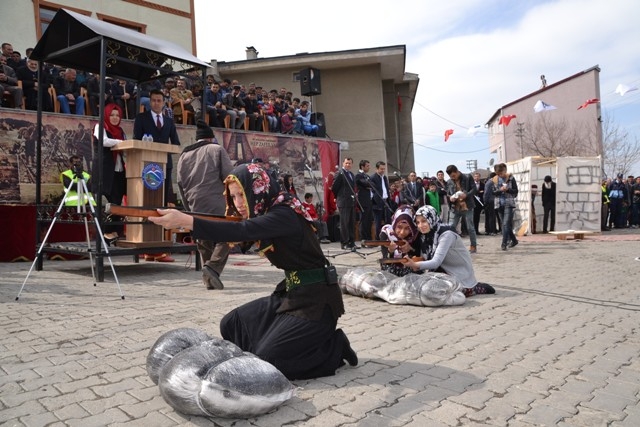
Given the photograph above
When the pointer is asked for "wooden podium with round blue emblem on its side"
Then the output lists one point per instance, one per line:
(141, 155)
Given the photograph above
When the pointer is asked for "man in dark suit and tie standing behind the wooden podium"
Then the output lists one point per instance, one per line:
(163, 130)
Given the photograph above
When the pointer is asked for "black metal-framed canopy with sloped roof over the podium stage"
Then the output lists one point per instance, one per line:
(76, 41)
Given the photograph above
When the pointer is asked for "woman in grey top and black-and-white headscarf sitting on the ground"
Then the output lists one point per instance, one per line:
(443, 250)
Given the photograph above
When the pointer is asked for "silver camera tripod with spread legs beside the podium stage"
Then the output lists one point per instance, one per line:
(82, 210)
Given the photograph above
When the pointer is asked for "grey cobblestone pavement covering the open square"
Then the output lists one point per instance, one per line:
(558, 344)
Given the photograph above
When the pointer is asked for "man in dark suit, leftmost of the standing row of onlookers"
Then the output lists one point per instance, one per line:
(344, 189)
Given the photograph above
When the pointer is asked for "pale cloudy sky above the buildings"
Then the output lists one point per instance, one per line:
(472, 56)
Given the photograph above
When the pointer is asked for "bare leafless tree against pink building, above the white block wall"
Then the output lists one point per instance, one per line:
(548, 137)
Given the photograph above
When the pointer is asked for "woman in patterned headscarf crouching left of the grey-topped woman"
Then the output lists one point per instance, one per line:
(400, 233)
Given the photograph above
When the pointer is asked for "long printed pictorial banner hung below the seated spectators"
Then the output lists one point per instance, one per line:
(308, 160)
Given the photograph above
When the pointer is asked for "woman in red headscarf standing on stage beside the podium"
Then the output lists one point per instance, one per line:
(114, 181)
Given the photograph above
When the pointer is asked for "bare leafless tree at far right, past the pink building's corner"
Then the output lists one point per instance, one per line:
(620, 150)
